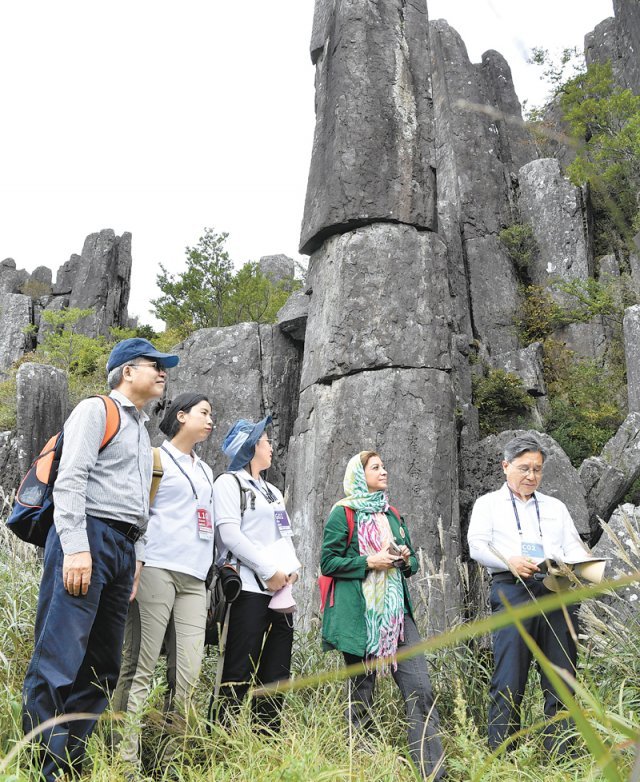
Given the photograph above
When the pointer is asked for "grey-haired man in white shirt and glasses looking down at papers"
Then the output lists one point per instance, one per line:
(512, 532)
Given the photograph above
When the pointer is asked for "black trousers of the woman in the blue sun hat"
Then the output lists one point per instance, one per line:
(258, 651)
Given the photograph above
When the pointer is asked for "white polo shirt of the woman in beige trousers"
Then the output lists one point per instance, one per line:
(173, 540)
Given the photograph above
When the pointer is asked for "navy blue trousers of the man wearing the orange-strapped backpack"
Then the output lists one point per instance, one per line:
(78, 644)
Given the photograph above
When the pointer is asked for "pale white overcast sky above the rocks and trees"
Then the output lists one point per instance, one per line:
(161, 118)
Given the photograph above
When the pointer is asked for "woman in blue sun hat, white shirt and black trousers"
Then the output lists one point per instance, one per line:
(260, 635)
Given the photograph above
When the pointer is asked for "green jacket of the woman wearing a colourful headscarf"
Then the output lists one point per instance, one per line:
(343, 625)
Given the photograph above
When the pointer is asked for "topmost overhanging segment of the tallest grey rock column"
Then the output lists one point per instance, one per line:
(372, 152)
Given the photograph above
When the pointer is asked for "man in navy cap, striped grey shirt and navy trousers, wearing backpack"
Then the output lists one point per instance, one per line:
(93, 557)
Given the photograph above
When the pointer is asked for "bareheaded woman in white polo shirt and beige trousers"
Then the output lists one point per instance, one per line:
(178, 554)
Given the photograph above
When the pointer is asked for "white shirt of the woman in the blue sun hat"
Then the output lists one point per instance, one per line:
(248, 538)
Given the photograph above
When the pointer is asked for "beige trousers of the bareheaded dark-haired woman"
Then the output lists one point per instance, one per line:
(166, 601)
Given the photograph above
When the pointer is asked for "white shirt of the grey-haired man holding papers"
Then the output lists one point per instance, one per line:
(493, 526)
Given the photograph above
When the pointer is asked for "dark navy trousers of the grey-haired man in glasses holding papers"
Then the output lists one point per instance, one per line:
(512, 660)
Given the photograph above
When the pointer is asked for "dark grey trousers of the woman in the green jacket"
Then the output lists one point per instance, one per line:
(423, 723)
